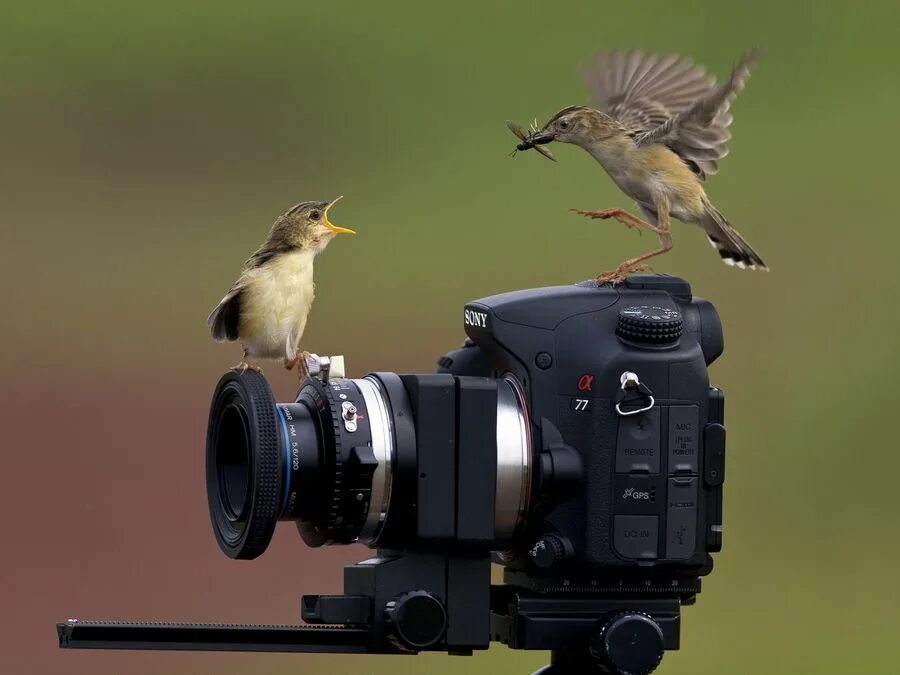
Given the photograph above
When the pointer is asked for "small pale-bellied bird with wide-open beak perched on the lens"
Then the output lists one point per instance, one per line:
(267, 307)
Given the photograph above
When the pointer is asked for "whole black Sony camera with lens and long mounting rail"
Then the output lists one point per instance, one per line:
(574, 440)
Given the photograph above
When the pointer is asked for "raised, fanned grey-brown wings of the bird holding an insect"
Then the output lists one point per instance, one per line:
(671, 100)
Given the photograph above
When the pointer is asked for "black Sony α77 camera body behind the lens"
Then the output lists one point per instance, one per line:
(650, 491)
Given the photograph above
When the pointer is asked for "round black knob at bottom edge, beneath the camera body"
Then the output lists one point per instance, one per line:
(629, 643)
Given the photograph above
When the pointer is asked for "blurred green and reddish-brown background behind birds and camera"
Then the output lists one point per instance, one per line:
(145, 148)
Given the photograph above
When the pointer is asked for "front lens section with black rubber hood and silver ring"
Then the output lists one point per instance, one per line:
(324, 461)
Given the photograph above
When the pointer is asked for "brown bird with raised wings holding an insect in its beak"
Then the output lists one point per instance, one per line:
(658, 126)
